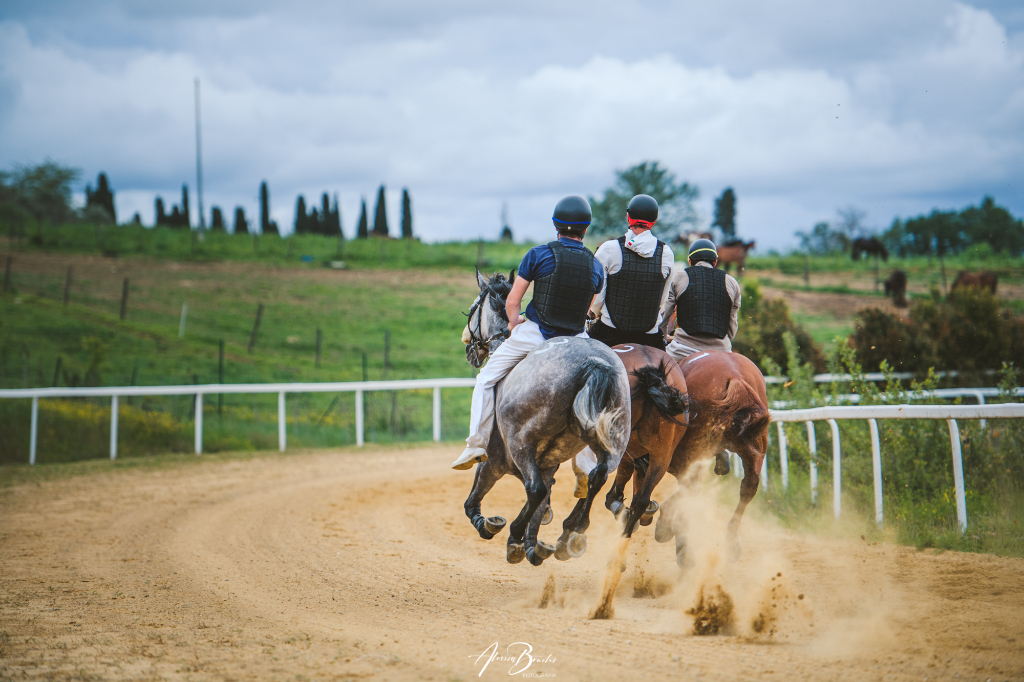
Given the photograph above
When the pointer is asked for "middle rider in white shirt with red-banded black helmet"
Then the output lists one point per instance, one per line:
(638, 267)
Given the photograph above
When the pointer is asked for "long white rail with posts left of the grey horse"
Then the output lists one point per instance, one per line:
(116, 393)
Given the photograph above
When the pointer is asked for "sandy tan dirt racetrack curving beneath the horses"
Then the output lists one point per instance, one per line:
(362, 565)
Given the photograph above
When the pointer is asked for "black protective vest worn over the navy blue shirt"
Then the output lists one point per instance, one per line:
(563, 299)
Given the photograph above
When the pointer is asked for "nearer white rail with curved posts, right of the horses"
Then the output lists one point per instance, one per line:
(951, 413)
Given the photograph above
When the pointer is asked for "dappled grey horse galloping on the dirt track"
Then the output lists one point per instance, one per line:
(569, 393)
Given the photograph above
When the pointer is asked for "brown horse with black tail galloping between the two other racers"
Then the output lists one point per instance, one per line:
(659, 418)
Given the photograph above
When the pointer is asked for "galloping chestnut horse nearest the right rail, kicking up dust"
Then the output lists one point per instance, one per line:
(731, 412)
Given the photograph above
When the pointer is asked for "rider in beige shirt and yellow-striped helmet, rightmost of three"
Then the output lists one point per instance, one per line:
(707, 305)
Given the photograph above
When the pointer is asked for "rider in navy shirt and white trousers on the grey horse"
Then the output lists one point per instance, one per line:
(567, 277)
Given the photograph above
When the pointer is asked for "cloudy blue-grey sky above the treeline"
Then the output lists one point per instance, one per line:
(802, 107)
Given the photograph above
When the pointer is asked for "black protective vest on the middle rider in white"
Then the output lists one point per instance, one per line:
(634, 293)
